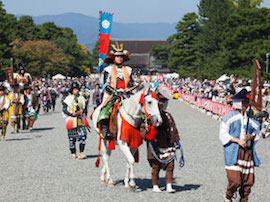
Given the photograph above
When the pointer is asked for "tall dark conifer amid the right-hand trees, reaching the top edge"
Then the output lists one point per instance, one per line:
(213, 17)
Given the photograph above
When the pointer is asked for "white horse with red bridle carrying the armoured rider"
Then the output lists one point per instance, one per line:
(144, 102)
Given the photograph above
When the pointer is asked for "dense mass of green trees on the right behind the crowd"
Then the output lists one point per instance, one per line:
(225, 37)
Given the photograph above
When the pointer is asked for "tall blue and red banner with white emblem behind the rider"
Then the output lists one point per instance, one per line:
(105, 26)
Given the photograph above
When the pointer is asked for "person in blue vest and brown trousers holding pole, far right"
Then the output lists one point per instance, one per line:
(239, 161)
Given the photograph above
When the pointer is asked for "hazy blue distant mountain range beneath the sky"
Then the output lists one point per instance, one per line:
(86, 28)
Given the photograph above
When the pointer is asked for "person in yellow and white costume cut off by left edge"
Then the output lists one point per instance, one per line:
(4, 114)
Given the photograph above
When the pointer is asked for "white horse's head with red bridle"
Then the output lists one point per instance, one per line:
(150, 106)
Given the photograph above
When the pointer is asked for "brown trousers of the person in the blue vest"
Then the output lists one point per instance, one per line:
(238, 179)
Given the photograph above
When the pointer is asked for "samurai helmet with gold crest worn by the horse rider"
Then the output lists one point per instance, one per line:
(117, 50)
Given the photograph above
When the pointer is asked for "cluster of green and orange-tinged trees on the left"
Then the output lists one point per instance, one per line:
(42, 49)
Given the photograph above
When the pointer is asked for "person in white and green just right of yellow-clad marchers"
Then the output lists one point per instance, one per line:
(31, 107)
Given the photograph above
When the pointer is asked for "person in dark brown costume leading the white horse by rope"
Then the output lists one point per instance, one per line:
(163, 142)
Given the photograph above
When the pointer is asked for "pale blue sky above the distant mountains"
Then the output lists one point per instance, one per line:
(125, 10)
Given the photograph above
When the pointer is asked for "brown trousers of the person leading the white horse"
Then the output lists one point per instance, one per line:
(156, 166)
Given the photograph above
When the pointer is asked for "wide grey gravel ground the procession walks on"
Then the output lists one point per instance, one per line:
(37, 166)
